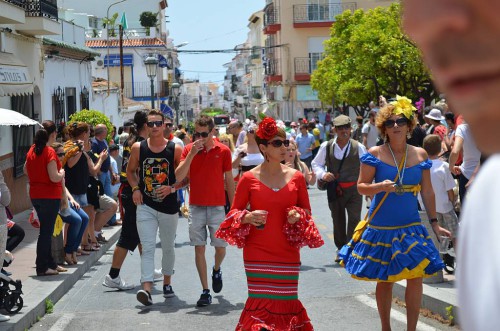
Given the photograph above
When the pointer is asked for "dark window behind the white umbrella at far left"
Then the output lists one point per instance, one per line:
(22, 136)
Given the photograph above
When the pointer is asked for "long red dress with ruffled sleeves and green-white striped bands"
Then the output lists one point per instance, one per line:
(271, 255)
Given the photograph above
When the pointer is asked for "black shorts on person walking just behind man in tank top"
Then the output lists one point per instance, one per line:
(129, 237)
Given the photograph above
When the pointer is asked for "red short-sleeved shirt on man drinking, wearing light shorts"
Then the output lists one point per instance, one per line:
(206, 175)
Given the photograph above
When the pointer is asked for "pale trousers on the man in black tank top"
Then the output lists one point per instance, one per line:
(148, 223)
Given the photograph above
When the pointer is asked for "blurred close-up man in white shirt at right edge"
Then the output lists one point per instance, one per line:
(459, 41)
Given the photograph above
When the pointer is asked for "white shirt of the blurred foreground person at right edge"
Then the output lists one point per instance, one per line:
(478, 252)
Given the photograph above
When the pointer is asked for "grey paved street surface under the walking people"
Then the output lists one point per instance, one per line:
(333, 299)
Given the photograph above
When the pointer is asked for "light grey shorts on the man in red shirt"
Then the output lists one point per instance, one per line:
(201, 217)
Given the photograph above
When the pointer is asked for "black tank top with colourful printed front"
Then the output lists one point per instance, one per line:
(157, 169)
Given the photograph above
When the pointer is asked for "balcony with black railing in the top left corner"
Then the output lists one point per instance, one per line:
(41, 18)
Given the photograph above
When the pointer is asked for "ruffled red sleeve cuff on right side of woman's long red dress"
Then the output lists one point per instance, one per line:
(303, 232)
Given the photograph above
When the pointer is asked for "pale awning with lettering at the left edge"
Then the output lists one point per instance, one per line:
(14, 76)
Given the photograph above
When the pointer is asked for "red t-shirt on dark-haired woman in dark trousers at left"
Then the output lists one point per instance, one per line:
(41, 187)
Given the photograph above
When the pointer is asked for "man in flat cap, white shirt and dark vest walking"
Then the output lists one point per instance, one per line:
(342, 168)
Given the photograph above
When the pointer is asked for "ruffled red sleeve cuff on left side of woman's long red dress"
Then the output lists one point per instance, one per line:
(232, 231)
